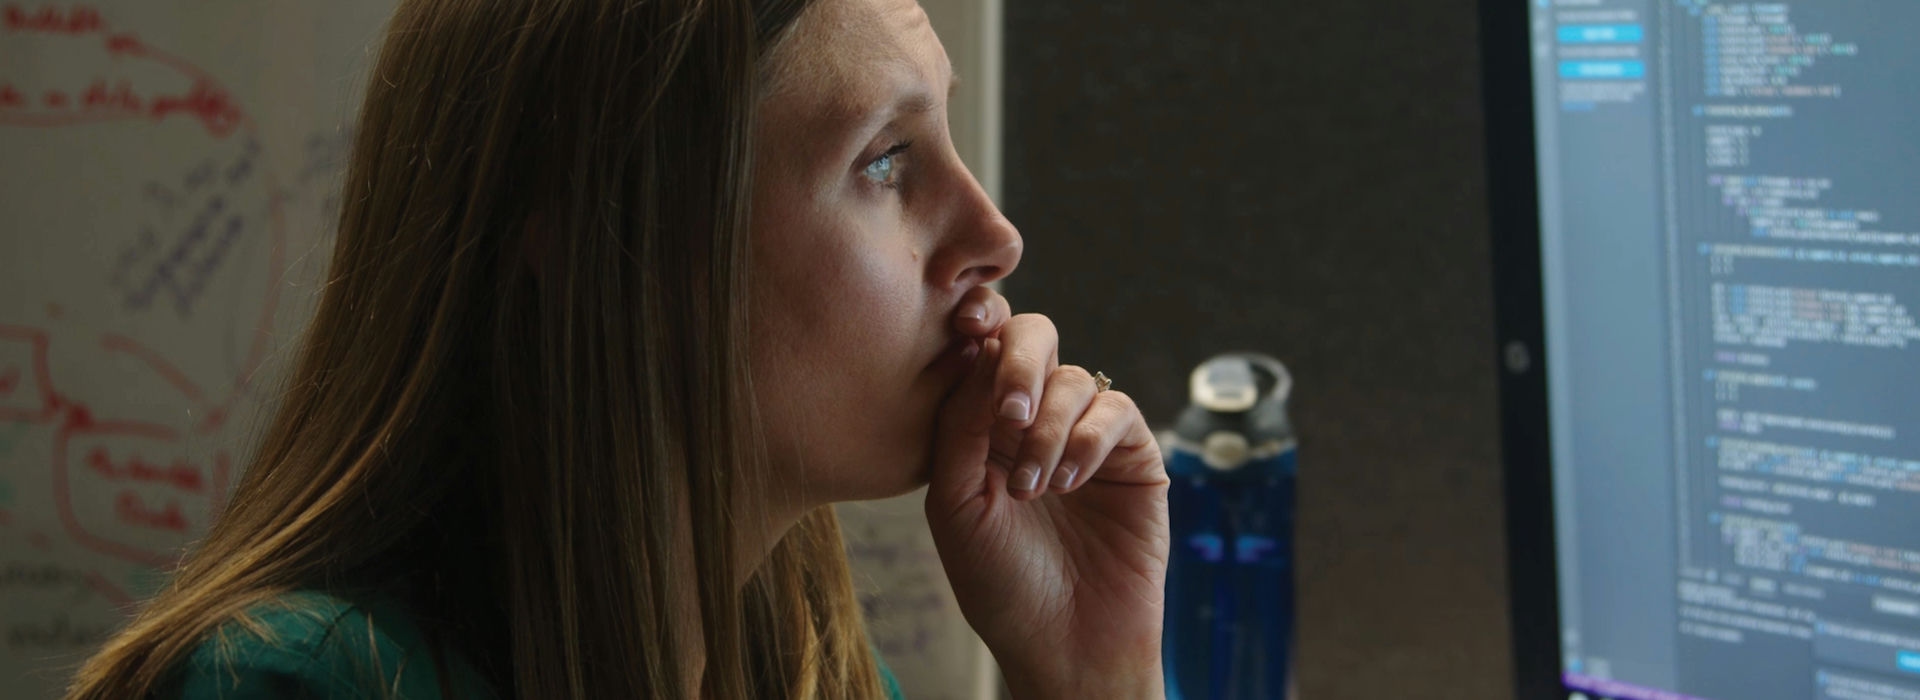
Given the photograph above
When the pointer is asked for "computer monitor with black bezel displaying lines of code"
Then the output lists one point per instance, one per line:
(1708, 256)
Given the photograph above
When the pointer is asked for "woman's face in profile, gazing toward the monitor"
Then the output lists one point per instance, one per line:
(867, 233)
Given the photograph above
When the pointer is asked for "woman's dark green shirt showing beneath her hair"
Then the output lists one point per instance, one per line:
(324, 647)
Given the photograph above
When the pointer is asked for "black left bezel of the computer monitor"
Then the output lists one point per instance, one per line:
(1520, 321)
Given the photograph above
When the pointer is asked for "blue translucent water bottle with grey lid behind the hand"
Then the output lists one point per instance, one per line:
(1232, 584)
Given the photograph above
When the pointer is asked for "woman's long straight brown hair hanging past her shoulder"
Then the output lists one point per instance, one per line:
(527, 377)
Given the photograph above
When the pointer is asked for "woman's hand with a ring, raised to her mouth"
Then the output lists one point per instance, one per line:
(1049, 507)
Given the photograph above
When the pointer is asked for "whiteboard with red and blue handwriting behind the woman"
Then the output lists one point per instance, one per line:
(168, 183)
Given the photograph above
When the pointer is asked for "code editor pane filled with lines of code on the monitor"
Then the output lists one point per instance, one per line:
(1794, 222)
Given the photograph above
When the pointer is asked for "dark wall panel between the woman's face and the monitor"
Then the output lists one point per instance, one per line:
(1301, 179)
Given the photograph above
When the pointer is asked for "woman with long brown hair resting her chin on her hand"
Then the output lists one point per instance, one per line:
(627, 294)
